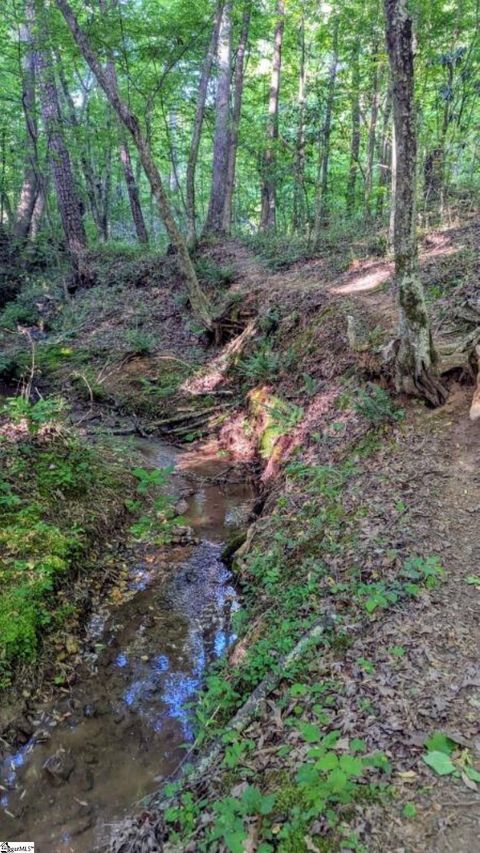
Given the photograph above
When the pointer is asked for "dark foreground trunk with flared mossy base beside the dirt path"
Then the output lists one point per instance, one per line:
(415, 357)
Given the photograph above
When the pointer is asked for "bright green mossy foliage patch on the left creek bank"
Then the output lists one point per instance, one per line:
(55, 494)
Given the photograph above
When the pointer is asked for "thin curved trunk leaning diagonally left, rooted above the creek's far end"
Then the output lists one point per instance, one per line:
(198, 300)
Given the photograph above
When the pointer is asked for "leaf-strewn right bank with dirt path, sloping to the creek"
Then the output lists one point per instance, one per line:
(367, 545)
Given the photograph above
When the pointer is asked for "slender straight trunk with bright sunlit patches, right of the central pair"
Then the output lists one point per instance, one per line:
(268, 213)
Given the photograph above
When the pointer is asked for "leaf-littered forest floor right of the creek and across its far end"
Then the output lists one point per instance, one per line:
(365, 523)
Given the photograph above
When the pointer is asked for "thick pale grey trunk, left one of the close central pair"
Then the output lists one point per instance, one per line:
(214, 222)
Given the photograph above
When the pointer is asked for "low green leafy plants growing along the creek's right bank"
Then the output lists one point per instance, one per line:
(289, 585)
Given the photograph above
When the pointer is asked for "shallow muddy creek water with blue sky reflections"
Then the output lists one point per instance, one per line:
(119, 730)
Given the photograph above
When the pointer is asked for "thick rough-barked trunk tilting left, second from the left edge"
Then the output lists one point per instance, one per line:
(67, 198)
